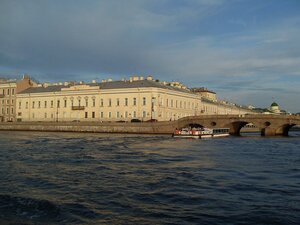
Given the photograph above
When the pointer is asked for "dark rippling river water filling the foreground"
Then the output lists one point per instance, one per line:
(76, 178)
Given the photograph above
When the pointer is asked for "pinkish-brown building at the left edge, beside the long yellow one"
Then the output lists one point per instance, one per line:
(8, 91)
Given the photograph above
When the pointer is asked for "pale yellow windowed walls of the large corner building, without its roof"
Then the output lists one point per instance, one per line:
(90, 103)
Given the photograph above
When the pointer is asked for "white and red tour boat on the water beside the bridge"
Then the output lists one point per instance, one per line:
(201, 132)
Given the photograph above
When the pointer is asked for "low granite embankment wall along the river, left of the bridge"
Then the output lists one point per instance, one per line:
(95, 127)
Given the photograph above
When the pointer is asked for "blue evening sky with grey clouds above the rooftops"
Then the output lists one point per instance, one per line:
(247, 51)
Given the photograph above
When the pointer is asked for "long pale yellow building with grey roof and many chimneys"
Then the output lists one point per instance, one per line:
(136, 98)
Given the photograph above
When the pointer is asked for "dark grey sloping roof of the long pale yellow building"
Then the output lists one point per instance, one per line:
(108, 85)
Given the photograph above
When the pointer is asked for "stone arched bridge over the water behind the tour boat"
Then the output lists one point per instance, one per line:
(269, 125)
